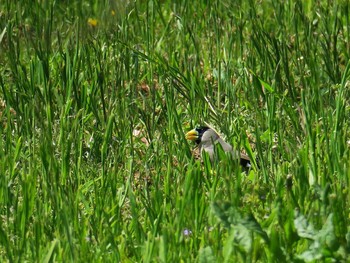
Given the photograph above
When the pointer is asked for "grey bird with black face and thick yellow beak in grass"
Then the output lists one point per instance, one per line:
(207, 139)
